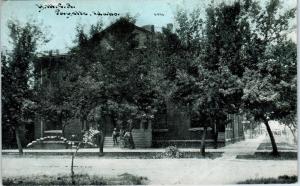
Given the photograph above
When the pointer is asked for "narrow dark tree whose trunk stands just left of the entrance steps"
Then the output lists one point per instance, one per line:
(88, 90)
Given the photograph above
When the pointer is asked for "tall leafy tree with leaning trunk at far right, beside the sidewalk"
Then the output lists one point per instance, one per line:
(271, 69)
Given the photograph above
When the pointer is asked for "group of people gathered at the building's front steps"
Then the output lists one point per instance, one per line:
(124, 138)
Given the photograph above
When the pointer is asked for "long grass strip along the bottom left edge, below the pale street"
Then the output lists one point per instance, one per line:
(123, 179)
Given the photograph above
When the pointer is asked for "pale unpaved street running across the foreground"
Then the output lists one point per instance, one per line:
(159, 171)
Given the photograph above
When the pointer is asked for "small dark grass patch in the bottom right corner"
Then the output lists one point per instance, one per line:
(281, 179)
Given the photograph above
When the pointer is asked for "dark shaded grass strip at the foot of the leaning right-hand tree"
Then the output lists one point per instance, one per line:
(269, 156)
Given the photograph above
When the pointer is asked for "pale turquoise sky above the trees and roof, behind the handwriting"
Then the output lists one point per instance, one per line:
(61, 30)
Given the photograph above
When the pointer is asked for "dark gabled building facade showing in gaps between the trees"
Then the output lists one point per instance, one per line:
(172, 127)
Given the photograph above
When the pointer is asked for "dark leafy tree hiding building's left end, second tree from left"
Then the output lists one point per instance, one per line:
(53, 88)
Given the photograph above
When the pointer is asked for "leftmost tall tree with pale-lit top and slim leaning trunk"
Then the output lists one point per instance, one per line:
(24, 39)
